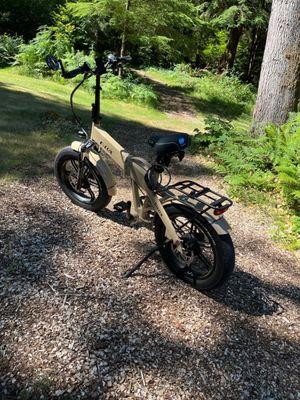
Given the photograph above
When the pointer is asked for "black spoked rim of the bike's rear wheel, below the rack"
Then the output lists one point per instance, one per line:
(198, 259)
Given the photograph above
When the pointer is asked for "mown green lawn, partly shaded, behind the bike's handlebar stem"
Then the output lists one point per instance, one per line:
(35, 121)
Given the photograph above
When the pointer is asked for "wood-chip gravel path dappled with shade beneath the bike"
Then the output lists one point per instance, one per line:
(71, 328)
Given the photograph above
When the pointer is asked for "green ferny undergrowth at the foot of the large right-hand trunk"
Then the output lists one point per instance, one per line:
(268, 163)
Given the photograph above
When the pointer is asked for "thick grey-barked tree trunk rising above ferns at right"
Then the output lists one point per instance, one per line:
(279, 78)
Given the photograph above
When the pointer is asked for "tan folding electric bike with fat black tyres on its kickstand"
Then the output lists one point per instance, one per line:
(190, 230)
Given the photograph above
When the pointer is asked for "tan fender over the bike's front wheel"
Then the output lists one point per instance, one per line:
(101, 166)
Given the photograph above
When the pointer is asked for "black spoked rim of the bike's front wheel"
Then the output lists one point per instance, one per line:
(91, 187)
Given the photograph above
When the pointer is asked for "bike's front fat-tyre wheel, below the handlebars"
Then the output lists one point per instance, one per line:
(92, 193)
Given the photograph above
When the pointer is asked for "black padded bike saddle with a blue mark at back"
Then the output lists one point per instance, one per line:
(169, 144)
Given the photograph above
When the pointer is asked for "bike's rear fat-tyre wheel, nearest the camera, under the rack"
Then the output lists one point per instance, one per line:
(207, 259)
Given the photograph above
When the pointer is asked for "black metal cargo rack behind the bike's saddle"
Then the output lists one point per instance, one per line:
(200, 197)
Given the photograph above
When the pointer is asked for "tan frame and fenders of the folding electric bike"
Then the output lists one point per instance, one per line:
(135, 169)
